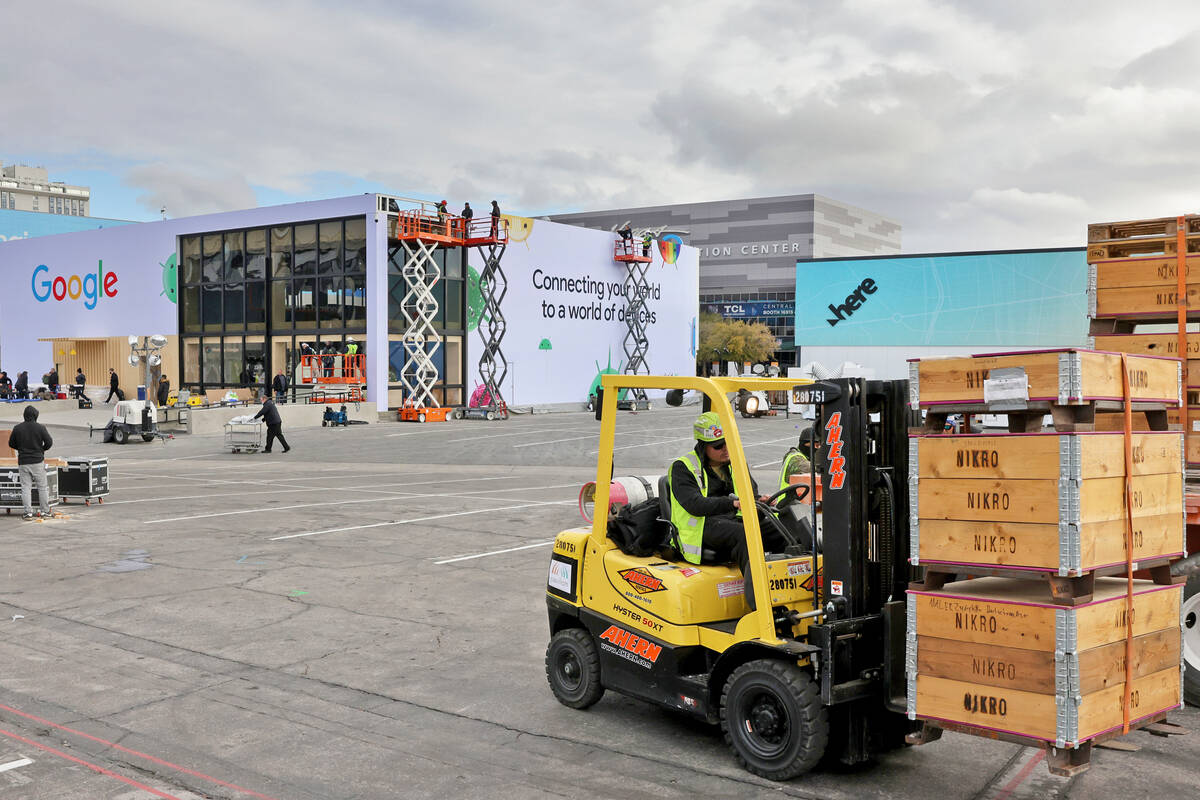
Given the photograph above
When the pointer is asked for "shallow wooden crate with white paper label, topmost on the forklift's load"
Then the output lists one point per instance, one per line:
(1063, 377)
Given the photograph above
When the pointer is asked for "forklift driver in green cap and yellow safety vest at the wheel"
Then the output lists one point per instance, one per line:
(704, 507)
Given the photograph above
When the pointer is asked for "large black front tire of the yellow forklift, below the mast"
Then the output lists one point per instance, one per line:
(773, 719)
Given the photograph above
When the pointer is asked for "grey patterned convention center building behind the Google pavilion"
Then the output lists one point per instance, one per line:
(749, 249)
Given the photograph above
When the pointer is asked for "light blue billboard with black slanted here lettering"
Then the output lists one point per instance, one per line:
(1015, 298)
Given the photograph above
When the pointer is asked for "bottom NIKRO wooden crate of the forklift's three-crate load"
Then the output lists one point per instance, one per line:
(989, 653)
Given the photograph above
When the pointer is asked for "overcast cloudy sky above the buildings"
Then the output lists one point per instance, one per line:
(976, 125)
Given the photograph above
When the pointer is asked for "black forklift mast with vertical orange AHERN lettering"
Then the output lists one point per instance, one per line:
(863, 464)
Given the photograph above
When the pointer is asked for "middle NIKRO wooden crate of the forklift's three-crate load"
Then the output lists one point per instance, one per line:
(1059, 501)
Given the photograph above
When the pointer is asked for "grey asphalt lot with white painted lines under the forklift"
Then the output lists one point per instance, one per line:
(364, 617)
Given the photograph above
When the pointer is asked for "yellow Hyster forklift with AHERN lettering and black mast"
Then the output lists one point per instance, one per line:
(817, 673)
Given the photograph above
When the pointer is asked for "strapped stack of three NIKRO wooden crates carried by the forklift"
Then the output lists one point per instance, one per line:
(1034, 652)
